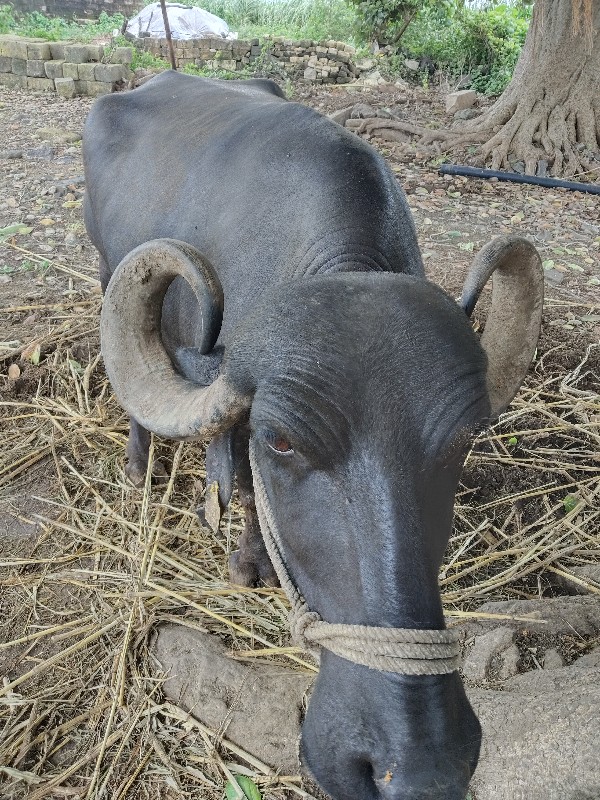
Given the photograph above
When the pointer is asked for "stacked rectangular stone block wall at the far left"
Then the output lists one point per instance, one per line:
(62, 67)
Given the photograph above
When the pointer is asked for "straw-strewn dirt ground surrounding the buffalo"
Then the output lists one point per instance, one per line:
(75, 604)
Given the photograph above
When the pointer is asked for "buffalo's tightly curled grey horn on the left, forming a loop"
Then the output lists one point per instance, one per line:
(137, 364)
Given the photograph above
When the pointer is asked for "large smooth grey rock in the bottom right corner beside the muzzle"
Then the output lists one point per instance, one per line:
(540, 737)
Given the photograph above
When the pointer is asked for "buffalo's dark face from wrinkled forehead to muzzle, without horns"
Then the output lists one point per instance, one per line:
(369, 504)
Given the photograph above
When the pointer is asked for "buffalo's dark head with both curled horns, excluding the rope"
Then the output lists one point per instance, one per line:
(363, 392)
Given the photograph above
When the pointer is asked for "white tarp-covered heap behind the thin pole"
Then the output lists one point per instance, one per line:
(185, 23)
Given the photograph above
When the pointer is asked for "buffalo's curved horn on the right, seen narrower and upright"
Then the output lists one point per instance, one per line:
(513, 324)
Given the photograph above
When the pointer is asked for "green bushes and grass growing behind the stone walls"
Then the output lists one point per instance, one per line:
(483, 42)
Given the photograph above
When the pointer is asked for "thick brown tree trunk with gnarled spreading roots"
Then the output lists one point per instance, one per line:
(551, 109)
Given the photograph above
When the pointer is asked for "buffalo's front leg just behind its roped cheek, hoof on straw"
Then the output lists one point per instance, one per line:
(250, 565)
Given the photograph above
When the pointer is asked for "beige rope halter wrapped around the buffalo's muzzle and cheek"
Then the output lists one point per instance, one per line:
(405, 651)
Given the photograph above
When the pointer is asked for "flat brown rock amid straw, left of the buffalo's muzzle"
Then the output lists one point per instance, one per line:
(257, 707)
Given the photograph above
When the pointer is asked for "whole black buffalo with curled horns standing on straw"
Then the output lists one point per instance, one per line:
(275, 293)
